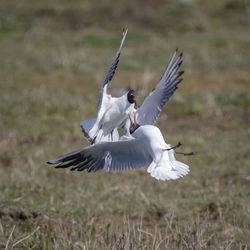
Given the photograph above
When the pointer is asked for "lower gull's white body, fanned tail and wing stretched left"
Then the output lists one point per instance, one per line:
(145, 147)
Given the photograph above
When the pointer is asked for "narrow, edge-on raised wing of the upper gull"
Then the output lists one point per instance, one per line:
(112, 69)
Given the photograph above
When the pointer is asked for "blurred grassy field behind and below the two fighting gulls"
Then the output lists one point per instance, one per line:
(53, 59)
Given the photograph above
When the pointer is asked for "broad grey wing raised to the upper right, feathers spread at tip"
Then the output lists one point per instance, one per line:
(149, 111)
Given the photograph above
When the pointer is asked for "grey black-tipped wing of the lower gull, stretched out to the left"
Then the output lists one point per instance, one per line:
(116, 156)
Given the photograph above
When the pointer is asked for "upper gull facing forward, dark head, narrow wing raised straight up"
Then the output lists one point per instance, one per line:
(111, 111)
